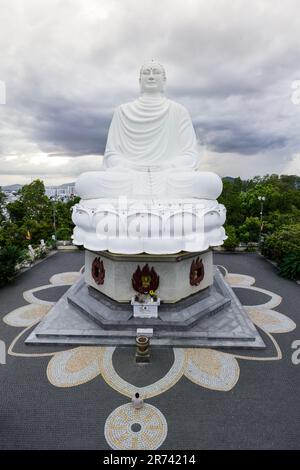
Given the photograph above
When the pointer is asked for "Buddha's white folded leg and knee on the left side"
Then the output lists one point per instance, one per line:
(104, 184)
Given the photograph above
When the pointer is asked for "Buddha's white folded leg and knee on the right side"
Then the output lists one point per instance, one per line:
(194, 184)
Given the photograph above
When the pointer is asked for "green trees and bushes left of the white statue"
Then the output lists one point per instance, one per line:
(32, 217)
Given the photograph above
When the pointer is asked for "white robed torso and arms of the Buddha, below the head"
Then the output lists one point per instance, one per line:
(154, 133)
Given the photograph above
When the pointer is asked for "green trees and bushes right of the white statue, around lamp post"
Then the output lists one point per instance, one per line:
(278, 232)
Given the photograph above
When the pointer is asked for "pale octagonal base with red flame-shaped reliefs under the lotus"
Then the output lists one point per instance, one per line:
(111, 274)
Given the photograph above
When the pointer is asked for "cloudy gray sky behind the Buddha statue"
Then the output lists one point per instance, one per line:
(66, 64)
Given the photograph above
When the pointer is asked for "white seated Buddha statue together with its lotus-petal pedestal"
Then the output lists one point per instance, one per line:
(151, 158)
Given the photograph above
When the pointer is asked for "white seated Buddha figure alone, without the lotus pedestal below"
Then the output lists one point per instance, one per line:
(151, 149)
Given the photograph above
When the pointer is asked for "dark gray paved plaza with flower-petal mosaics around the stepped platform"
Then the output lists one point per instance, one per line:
(77, 398)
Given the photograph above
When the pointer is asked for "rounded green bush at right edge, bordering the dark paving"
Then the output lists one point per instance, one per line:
(282, 242)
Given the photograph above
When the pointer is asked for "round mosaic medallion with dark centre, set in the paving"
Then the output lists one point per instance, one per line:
(127, 428)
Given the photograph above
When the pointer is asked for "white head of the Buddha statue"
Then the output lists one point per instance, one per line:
(152, 77)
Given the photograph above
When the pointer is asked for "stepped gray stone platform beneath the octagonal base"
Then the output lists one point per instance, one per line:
(213, 317)
